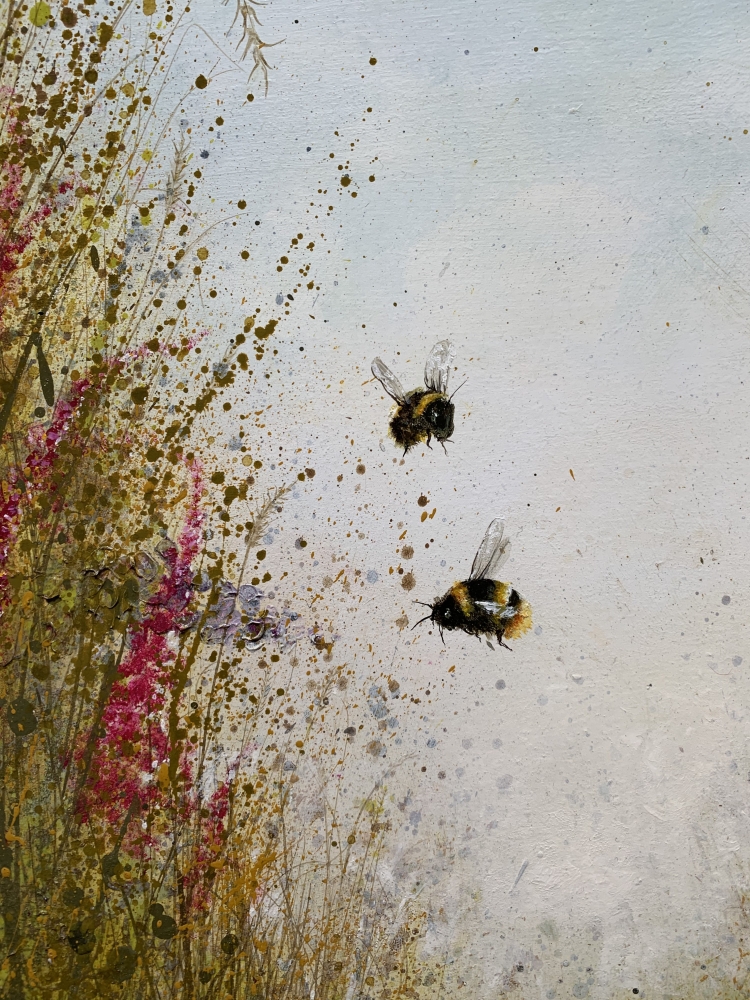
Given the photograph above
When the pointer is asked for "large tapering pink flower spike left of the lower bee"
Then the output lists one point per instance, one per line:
(134, 715)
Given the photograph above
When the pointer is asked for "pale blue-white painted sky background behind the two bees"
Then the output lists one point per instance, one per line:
(575, 218)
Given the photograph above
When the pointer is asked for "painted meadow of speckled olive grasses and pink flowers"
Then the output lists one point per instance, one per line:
(161, 712)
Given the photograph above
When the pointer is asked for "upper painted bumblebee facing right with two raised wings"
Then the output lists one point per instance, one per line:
(424, 413)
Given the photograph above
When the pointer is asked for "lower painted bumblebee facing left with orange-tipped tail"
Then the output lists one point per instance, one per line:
(481, 605)
